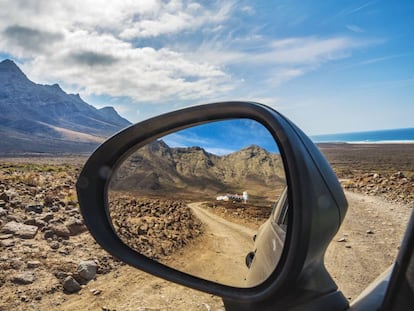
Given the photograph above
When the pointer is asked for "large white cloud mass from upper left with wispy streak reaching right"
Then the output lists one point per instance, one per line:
(96, 47)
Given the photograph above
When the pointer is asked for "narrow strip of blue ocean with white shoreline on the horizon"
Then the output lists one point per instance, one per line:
(383, 136)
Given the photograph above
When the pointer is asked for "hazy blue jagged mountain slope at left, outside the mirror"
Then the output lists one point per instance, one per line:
(36, 118)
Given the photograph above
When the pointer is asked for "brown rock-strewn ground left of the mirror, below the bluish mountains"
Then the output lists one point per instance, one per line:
(45, 247)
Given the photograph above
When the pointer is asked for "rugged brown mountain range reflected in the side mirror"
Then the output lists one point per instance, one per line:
(158, 168)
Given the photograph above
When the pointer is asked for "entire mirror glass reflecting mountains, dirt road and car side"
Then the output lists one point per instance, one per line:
(207, 200)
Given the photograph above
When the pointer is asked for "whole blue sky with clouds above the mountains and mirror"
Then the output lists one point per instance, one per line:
(330, 66)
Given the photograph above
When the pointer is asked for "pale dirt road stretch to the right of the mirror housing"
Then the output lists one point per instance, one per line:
(367, 242)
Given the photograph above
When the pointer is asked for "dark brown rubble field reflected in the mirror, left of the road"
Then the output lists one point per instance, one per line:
(163, 226)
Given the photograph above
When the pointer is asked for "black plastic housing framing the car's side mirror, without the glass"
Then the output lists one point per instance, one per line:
(317, 200)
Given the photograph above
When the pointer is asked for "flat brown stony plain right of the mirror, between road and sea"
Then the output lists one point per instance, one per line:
(385, 170)
